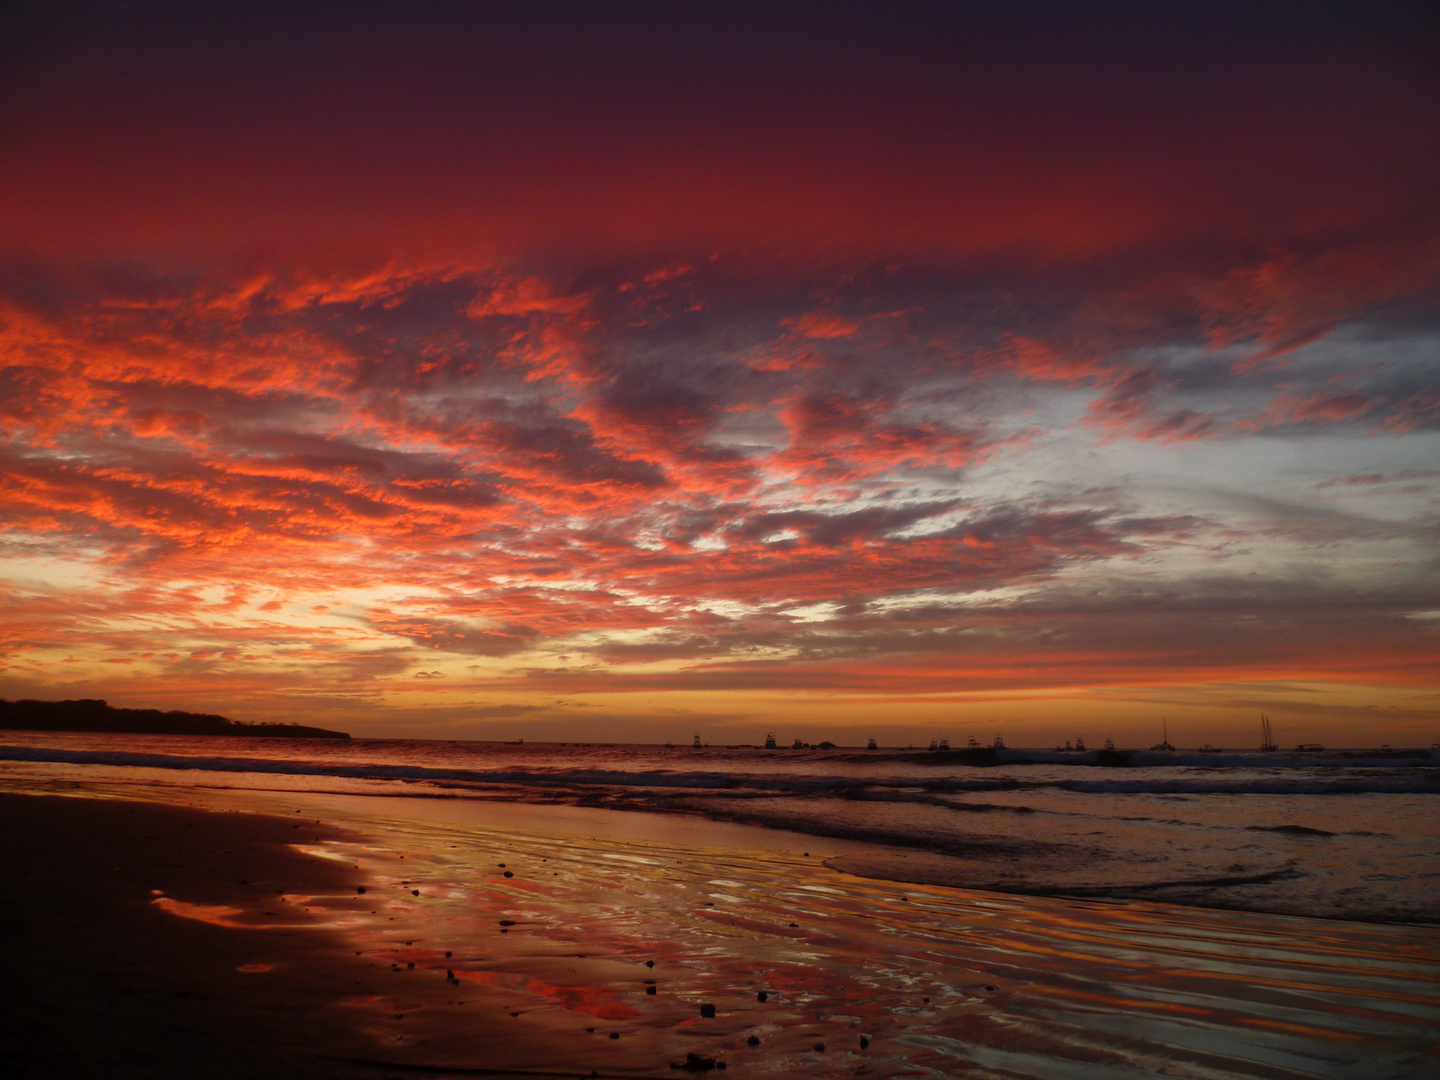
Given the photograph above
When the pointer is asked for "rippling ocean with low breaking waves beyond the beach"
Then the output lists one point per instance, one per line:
(1333, 836)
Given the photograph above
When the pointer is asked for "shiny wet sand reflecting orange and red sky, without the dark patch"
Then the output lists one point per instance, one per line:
(604, 947)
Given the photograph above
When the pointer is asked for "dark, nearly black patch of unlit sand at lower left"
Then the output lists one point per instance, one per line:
(97, 981)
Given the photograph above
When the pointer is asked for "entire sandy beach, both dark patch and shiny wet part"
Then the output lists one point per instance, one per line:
(159, 941)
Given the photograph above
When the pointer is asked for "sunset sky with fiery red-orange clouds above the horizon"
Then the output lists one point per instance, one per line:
(617, 372)
